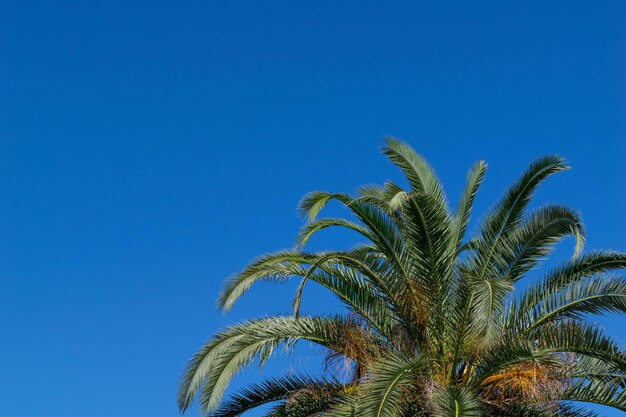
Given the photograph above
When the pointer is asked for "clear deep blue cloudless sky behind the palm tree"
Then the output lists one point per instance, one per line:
(150, 149)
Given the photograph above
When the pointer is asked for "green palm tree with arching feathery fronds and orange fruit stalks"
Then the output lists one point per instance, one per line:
(434, 327)
